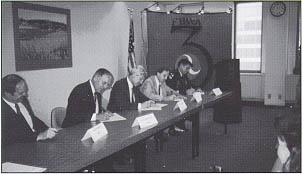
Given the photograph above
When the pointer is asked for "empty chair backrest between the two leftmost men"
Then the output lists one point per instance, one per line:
(57, 117)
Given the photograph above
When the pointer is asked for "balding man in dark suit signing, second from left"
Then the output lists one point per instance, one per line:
(86, 98)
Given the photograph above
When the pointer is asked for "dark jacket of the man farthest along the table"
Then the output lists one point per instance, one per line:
(177, 82)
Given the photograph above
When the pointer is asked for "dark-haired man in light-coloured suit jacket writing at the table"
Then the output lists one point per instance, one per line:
(155, 88)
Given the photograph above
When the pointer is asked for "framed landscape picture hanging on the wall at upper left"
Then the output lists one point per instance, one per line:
(42, 36)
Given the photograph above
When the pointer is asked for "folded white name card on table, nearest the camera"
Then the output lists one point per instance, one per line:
(95, 132)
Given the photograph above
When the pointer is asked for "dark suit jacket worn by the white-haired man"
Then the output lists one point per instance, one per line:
(120, 97)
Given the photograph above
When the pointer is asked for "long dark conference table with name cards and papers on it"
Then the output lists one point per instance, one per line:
(67, 153)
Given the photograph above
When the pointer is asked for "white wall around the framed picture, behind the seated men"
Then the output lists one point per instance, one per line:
(99, 39)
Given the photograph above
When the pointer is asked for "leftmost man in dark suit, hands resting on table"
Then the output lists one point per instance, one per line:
(19, 123)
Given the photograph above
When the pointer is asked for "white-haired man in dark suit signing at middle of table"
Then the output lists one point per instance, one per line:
(125, 95)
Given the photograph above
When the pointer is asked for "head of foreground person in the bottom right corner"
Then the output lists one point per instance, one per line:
(289, 144)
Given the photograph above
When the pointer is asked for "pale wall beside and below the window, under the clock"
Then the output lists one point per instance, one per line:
(278, 56)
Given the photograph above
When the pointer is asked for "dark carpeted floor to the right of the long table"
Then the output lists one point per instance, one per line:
(248, 147)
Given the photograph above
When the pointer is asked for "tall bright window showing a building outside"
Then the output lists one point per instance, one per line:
(248, 35)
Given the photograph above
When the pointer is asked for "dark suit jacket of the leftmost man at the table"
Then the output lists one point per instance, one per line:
(15, 128)
